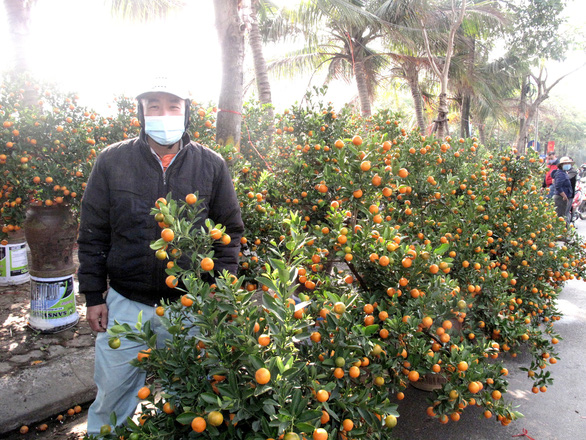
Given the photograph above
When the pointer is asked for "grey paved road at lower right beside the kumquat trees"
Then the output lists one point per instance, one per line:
(558, 414)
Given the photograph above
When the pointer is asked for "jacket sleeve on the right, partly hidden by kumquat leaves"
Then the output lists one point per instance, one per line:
(225, 209)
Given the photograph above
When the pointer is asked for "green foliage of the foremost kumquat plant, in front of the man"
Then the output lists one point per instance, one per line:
(214, 368)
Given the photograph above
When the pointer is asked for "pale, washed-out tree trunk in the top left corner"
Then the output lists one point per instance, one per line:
(18, 16)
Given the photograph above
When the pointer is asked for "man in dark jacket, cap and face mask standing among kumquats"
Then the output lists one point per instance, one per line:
(116, 229)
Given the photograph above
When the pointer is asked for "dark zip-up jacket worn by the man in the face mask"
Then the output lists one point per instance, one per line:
(117, 228)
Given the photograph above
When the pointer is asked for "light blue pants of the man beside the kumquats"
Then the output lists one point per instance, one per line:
(118, 382)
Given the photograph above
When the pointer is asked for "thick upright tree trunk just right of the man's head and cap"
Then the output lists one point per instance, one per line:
(231, 38)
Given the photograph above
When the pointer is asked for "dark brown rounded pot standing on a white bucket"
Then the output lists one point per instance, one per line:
(51, 233)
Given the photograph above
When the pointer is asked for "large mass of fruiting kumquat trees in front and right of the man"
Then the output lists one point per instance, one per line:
(374, 259)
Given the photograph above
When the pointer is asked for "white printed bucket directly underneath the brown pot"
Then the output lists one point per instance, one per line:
(53, 306)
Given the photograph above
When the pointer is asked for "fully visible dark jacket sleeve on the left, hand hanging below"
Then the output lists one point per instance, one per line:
(94, 236)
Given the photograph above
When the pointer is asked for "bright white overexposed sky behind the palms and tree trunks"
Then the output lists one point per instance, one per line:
(79, 46)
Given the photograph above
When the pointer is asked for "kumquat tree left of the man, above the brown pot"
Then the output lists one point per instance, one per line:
(48, 143)
